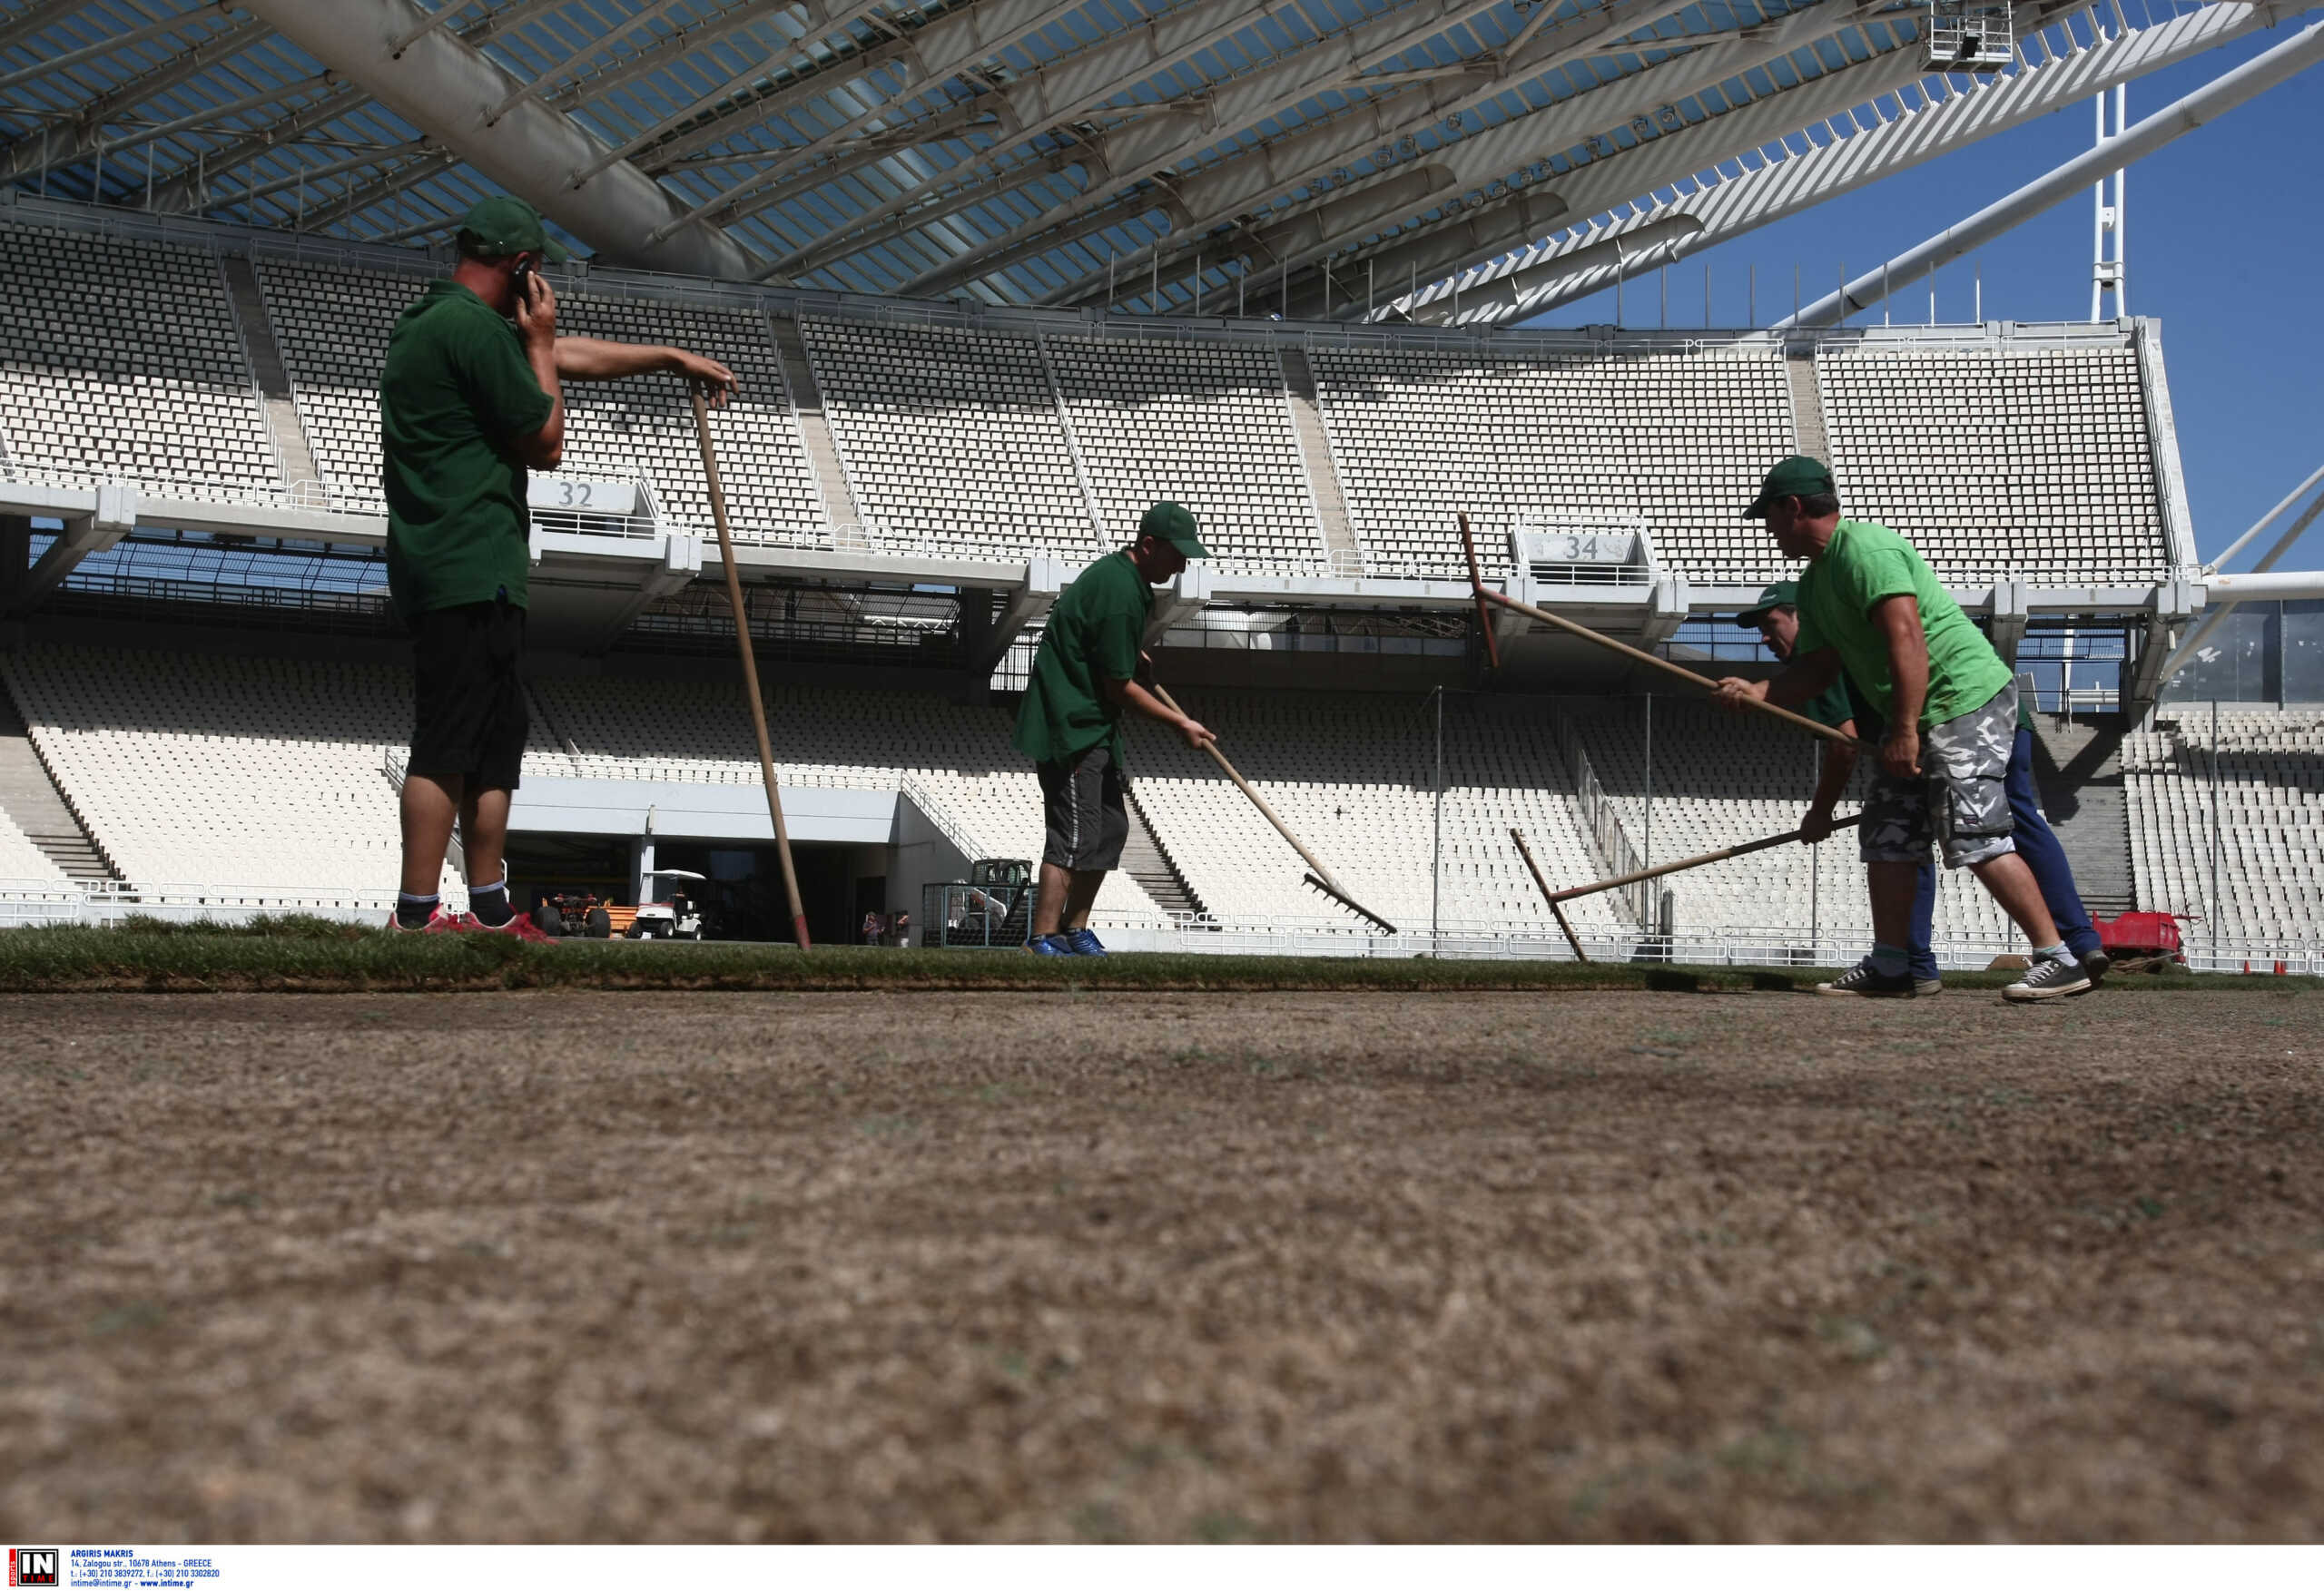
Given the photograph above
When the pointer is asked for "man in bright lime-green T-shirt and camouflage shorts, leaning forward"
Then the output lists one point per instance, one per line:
(1874, 612)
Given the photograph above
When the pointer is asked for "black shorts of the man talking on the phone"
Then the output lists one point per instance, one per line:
(468, 703)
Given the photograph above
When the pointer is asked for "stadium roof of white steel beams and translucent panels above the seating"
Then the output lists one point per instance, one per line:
(1330, 159)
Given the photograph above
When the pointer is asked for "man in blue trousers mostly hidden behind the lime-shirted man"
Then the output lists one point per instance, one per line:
(1777, 619)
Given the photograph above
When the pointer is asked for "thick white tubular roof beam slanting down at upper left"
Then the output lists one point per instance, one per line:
(445, 87)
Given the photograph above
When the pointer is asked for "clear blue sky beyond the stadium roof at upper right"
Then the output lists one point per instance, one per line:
(2225, 250)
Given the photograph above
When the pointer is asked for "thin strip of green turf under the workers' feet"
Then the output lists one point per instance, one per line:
(317, 956)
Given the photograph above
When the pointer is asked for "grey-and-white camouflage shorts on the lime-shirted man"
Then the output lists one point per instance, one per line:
(1960, 798)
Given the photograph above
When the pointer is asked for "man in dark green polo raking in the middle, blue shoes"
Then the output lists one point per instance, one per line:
(1084, 675)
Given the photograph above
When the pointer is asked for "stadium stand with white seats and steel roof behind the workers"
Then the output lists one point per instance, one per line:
(996, 275)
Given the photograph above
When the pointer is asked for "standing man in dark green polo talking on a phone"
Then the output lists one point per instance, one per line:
(471, 398)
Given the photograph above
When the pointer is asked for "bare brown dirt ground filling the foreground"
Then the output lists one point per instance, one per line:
(1163, 1267)
